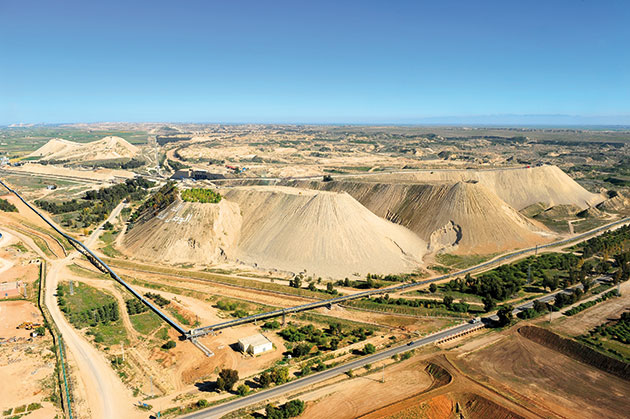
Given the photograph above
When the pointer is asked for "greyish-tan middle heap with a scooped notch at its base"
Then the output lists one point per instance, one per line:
(461, 217)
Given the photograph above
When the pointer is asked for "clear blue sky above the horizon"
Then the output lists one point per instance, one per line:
(315, 62)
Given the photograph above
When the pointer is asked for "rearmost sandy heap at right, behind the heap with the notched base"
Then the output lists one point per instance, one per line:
(519, 187)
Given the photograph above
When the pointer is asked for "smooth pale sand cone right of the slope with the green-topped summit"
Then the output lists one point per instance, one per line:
(328, 234)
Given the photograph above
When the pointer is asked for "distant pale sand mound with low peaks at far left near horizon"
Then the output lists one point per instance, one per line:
(107, 148)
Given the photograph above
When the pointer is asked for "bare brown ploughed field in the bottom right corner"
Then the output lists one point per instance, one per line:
(547, 381)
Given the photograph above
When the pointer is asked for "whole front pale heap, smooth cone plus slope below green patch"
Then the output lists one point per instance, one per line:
(321, 233)
